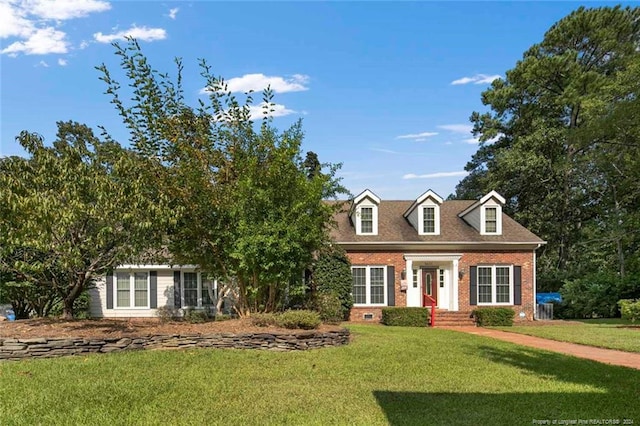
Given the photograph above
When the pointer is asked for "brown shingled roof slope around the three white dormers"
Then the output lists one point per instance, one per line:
(394, 228)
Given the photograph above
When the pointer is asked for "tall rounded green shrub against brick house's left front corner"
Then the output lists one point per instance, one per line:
(332, 275)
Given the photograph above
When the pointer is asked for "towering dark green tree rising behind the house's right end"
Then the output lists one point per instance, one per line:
(566, 149)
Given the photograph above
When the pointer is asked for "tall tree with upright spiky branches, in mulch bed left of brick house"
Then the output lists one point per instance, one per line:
(252, 210)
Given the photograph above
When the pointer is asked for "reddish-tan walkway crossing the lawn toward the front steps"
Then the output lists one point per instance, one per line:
(607, 356)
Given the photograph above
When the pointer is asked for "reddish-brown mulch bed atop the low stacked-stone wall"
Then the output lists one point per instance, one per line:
(47, 327)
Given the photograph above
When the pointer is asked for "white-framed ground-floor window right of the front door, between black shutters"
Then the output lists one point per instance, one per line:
(495, 285)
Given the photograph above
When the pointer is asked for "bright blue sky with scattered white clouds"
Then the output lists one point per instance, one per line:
(384, 88)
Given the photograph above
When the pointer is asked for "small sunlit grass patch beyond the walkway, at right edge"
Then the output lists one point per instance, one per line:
(603, 333)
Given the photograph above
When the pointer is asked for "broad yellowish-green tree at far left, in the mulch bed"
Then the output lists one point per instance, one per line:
(73, 210)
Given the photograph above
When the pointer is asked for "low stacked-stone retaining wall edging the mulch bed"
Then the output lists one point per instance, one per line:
(14, 349)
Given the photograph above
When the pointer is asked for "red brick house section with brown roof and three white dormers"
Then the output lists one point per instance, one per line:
(458, 255)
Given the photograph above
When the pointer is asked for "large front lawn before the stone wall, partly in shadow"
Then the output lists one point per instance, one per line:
(388, 375)
